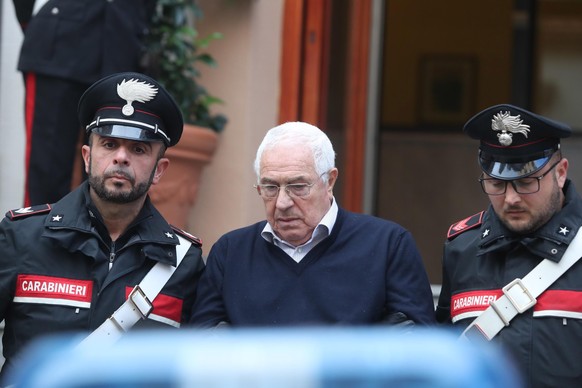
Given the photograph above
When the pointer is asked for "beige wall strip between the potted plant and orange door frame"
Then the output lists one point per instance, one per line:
(247, 79)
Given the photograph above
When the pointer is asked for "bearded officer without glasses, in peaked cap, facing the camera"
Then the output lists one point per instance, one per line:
(69, 266)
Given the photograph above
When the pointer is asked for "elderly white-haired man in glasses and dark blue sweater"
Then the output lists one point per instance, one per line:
(310, 262)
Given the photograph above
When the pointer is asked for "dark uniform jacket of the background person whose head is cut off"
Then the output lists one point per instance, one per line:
(83, 40)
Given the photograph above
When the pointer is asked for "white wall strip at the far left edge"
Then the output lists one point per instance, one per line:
(11, 113)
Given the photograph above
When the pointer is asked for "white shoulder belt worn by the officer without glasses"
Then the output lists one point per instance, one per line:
(139, 302)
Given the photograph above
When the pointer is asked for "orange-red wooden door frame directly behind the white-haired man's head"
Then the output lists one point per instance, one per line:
(308, 63)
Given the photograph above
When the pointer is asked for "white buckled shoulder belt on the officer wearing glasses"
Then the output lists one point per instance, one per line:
(520, 294)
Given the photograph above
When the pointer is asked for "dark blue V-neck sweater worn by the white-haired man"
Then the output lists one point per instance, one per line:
(365, 270)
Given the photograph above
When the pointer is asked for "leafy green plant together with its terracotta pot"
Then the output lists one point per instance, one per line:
(174, 56)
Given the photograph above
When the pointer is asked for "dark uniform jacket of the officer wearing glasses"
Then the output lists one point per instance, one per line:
(481, 256)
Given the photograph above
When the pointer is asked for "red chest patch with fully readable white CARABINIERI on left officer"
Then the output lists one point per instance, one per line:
(53, 290)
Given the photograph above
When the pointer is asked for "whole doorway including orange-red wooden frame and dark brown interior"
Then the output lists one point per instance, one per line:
(438, 63)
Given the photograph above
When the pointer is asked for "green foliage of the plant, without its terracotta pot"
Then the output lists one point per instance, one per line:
(174, 53)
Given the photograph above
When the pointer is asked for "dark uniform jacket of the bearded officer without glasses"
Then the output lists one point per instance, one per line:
(55, 276)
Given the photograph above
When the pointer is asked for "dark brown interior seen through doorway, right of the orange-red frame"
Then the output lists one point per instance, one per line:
(442, 63)
